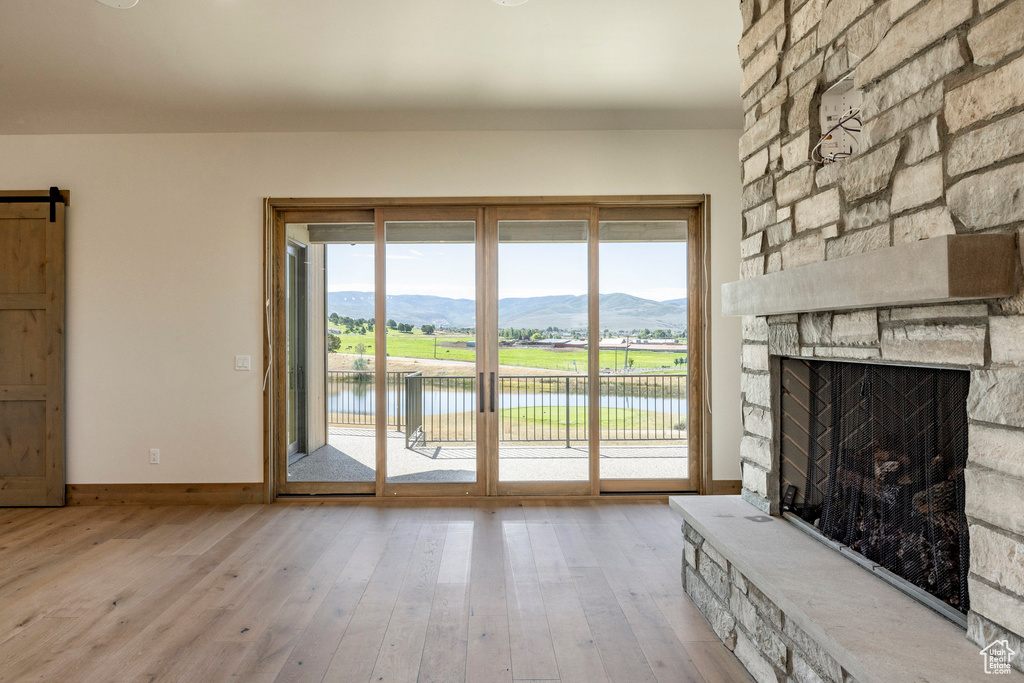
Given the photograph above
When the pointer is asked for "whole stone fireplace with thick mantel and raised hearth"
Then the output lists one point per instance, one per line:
(907, 254)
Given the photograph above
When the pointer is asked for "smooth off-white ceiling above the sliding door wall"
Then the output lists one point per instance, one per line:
(206, 66)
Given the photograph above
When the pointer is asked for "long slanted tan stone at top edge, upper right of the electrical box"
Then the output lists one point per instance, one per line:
(914, 34)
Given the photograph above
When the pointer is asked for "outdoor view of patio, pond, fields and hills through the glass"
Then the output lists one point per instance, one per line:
(542, 390)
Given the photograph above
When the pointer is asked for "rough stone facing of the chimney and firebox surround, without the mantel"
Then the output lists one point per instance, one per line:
(943, 152)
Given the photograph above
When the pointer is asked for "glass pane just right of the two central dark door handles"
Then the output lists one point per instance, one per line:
(542, 351)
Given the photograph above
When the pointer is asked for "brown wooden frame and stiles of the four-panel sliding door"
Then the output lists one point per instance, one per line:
(280, 212)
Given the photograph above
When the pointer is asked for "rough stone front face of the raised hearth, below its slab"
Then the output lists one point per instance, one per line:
(772, 647)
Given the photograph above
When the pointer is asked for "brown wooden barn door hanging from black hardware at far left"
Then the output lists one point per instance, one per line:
(32, 349)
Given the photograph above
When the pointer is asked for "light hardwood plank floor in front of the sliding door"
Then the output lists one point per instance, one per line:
(539, 592)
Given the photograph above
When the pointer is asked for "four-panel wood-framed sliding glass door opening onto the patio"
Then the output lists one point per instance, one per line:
(489, 350)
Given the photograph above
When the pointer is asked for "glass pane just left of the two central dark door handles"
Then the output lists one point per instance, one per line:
(432, 352)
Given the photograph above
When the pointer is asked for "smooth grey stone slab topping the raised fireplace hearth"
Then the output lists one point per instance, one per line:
(877, 633)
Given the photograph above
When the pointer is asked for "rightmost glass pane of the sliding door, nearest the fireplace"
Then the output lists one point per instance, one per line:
(644, 320)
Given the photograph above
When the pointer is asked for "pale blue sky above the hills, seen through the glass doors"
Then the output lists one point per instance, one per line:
(651, 271)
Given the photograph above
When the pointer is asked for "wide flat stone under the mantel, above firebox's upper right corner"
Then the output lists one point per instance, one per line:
(944, 345)
